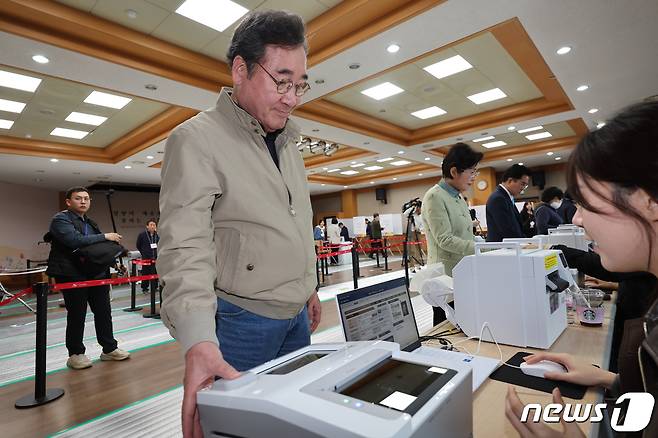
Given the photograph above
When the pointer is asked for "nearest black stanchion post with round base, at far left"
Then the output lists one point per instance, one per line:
(41, 395)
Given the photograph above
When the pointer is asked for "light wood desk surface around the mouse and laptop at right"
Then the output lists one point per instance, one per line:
(591, 344)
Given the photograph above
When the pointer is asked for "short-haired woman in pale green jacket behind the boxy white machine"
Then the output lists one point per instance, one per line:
(449, 227)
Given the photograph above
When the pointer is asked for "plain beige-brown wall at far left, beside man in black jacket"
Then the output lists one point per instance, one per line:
(25, 217)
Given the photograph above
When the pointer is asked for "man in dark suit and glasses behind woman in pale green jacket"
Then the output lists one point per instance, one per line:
(503, 218)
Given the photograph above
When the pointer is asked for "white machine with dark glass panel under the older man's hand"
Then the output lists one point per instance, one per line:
(354, 389)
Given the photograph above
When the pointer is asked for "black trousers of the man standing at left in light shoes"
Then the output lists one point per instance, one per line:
(76, 301)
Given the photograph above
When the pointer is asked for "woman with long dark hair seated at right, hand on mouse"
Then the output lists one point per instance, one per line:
(613, 176)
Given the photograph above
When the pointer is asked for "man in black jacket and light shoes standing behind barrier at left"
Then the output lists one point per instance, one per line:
(70, 230)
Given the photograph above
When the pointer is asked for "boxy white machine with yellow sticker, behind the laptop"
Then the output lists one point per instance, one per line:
(519, 293)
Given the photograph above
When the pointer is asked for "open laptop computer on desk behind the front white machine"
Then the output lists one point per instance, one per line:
(384, 312)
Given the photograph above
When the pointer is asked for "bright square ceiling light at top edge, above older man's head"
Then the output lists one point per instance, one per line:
(216, 14)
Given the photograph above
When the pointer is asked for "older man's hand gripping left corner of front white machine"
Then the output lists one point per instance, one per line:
(203, 362)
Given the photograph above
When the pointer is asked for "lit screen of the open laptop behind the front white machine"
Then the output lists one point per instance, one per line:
(379, 312)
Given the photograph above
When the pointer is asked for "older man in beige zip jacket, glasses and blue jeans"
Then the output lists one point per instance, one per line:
(236, 251)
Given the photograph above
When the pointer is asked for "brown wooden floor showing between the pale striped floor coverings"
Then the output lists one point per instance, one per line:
(111, 385)
